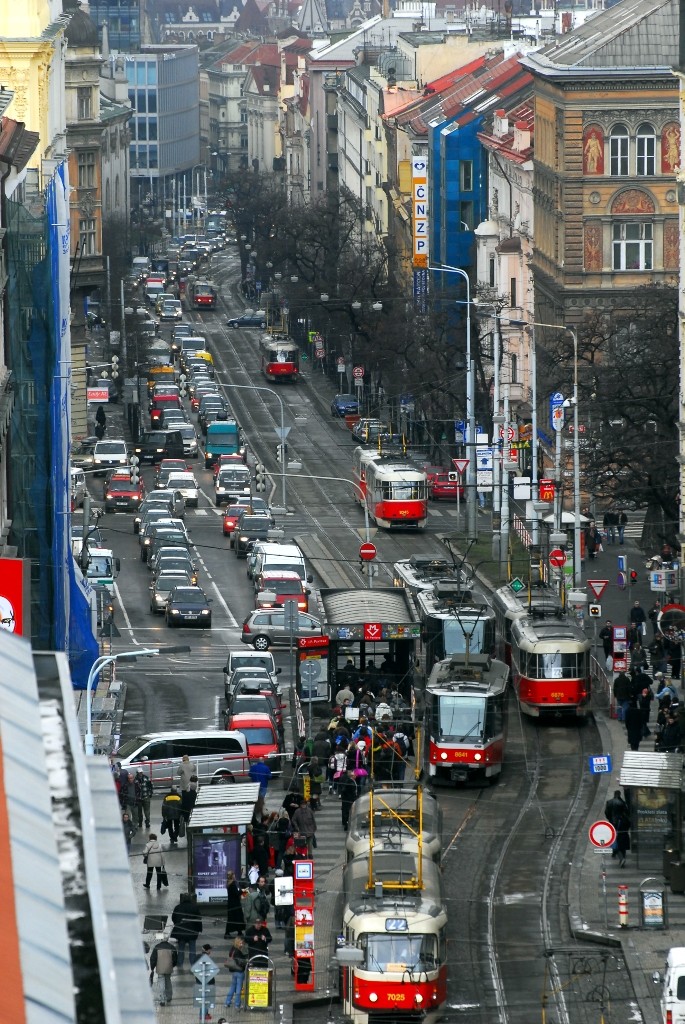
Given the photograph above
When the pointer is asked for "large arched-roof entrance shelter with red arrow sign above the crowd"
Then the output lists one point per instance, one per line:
(377, 626)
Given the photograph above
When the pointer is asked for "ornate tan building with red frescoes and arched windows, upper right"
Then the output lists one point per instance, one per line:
(608, 150)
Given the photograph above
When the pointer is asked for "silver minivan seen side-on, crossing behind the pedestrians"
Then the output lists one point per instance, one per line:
(220, 757)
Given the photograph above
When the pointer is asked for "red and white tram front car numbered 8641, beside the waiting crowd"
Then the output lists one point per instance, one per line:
(466, 719)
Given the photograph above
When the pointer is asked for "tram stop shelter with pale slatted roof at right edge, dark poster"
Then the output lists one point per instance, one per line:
(653, 785)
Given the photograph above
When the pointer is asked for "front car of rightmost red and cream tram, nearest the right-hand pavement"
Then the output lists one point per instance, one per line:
(551, 667)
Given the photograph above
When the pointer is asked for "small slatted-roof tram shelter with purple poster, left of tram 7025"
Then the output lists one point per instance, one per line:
(216, 831)
